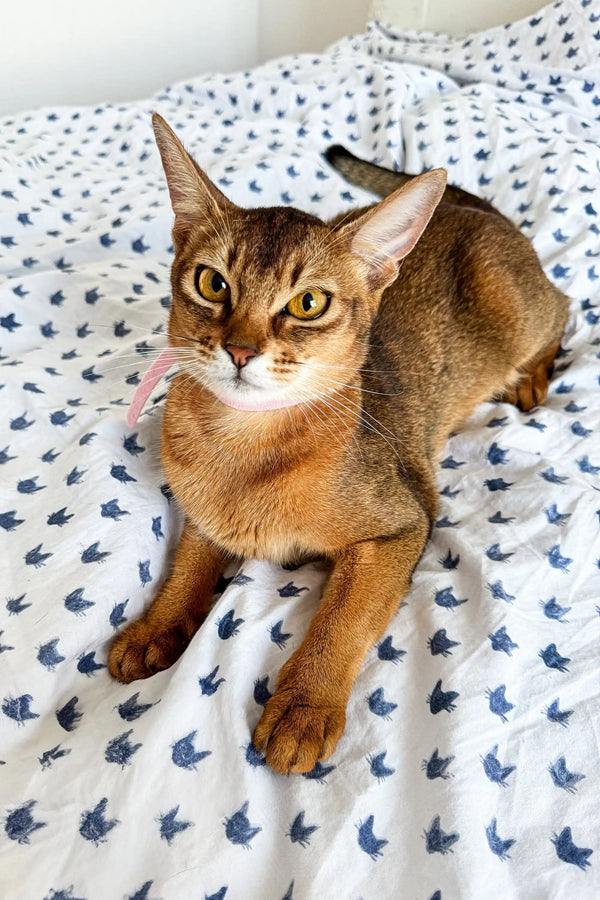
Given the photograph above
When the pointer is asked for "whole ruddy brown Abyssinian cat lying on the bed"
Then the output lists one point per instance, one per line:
(322, 367)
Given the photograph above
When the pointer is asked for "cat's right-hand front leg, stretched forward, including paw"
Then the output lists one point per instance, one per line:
(305, 717)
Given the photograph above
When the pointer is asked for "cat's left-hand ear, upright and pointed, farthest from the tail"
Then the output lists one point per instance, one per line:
(194, 197)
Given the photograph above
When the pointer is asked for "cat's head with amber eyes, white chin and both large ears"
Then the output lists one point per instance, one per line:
(274, 305)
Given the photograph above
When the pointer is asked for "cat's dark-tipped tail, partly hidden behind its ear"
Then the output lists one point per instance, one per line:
(382, 181)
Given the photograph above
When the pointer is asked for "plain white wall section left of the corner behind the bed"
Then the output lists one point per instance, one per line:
(55, 52)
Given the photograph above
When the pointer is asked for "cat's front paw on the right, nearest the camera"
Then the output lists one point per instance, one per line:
(294, 733)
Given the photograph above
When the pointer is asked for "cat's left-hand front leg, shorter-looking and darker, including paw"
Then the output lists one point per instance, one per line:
(159, 637)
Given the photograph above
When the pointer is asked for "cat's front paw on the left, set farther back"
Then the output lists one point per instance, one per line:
(140, 651)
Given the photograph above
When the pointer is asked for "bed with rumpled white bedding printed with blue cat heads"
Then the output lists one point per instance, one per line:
(469, 764)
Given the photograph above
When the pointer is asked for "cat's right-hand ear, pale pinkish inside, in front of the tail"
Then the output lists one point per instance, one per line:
(384, 235)
